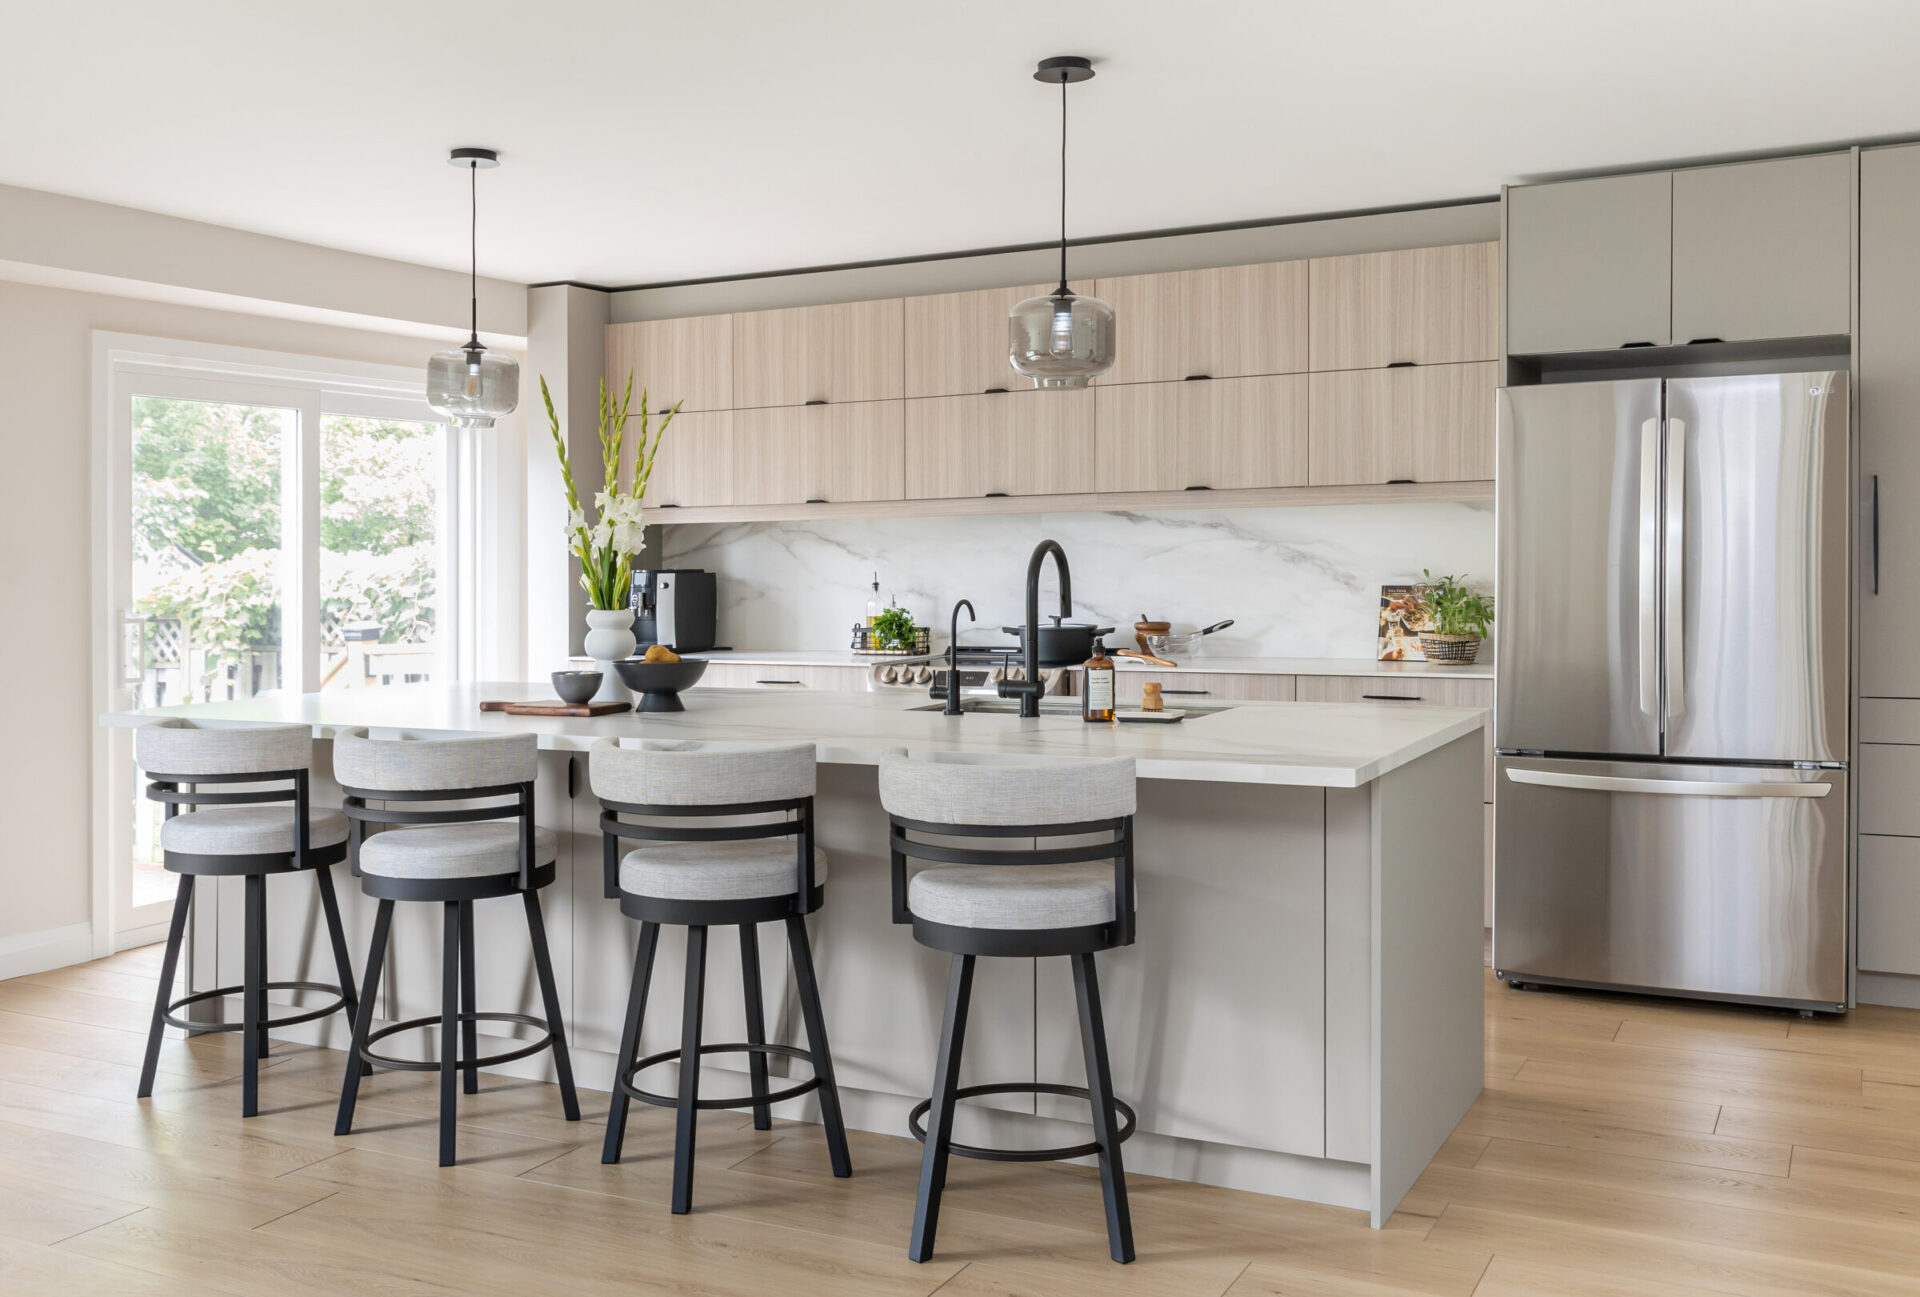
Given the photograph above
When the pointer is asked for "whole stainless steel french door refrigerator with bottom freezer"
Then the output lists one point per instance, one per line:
(1671, 707)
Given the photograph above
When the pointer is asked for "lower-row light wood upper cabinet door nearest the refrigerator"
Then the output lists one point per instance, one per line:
(1431, 423)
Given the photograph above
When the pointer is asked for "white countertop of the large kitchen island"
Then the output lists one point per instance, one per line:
(1339, 745)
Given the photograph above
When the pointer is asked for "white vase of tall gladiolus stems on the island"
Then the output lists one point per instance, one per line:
(608, 542)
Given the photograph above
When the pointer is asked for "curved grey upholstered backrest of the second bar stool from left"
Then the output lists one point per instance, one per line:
(439, 770)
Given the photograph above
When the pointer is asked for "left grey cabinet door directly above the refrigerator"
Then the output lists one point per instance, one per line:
(1589, 264)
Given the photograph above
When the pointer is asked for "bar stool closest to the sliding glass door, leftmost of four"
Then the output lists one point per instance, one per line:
(249, 834)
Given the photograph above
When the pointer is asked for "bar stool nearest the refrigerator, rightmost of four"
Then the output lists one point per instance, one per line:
(997, 899)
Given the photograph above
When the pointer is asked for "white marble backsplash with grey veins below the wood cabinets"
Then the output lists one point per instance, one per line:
(1297, 582)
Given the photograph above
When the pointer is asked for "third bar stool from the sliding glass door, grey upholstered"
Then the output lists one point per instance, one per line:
(704, 876)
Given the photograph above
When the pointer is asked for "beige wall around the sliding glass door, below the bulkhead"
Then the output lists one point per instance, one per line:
(45, 538)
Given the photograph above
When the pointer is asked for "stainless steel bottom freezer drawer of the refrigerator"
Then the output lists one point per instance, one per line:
(1691, 880)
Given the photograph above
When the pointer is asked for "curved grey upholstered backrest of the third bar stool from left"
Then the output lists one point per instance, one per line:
(763, 793)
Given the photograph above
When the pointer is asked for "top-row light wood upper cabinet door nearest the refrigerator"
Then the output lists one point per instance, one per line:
(1426, 306)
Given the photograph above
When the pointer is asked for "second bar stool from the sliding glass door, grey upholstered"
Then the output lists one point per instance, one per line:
(452, 857)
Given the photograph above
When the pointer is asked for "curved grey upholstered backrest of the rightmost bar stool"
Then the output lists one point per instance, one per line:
(997, 805)
